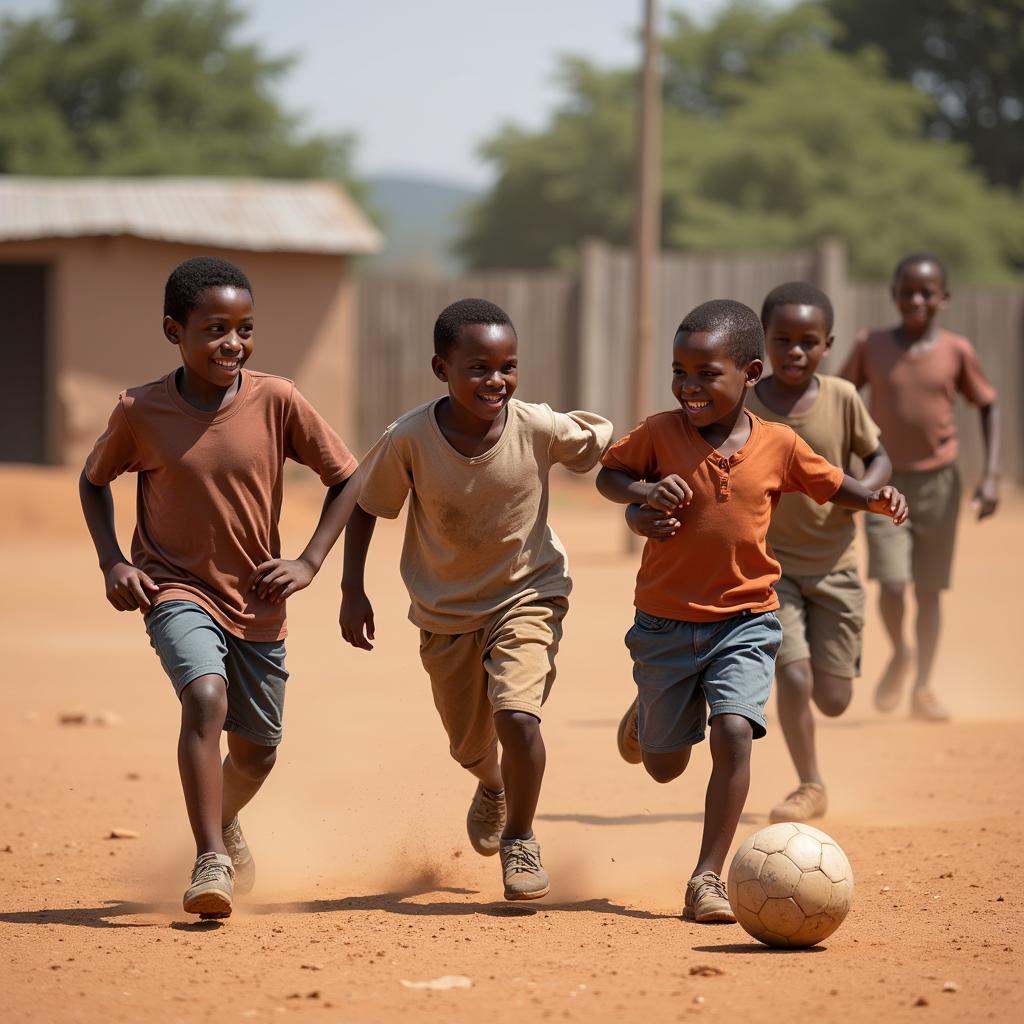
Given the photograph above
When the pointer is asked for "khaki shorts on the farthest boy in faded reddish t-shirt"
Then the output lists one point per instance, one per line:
(921, 550)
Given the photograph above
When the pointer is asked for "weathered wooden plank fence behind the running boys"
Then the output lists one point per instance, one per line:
(576, 331)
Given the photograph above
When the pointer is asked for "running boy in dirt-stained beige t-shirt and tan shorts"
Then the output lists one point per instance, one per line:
(486, 574)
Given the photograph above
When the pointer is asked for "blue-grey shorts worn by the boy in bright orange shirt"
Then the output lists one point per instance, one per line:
(690, 672)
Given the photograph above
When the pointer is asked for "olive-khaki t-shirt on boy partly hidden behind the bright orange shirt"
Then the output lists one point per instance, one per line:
(810, 539)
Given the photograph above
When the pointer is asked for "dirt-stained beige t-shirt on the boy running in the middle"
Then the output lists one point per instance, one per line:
(478, 538)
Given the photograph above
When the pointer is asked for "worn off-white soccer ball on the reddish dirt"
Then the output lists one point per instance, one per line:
(791, 885)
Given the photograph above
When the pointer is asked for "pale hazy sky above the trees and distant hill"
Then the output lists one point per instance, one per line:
(423, 82)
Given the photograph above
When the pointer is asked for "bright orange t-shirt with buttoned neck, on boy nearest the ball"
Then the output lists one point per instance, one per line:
(719, 563)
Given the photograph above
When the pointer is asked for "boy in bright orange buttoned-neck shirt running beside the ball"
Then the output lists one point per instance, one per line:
(707, 479)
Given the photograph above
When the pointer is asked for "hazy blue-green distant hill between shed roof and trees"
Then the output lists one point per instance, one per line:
(420, 222)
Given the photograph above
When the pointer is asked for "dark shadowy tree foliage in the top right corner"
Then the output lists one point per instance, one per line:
(967, 55)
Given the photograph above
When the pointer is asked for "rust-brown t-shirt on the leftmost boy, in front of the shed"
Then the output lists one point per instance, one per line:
(210, 489)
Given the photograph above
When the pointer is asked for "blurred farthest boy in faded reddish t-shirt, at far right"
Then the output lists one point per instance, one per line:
(915, 371)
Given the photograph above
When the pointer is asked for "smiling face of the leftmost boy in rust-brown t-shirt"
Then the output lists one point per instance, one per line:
(217, 339)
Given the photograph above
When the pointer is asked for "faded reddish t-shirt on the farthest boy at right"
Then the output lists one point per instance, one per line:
(913, 394)
